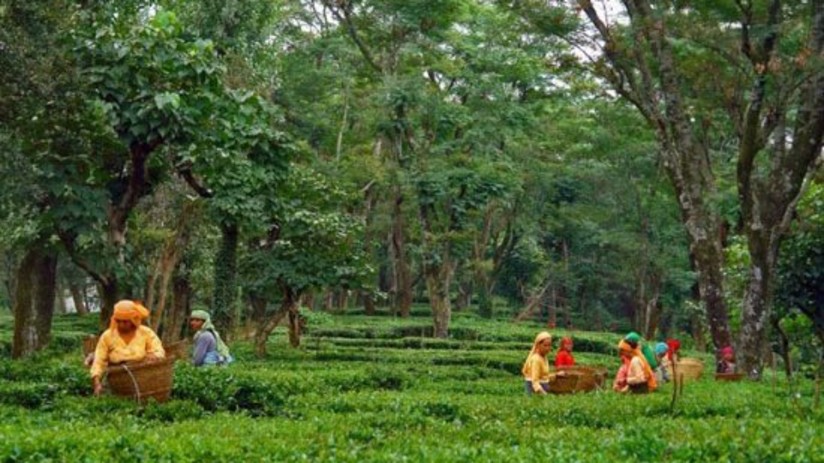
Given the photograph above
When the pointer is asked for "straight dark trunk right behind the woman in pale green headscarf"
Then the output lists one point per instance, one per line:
(225, 275)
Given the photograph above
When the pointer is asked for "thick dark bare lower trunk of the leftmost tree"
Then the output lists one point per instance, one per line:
(34, 300)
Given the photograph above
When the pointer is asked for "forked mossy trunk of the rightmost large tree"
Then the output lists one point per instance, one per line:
(768, 201)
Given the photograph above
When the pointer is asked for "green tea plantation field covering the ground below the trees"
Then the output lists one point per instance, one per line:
(374, 389)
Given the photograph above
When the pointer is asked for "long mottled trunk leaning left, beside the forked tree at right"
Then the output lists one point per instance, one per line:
(654, 87)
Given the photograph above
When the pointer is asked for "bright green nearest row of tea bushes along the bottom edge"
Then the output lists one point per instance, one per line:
(428, 426)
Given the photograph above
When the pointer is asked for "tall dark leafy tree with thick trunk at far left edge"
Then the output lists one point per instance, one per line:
(41, 134)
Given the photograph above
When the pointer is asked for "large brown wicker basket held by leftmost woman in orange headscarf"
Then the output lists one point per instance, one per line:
(142, 380)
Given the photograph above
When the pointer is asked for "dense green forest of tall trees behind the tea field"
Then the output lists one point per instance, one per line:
(658, 169)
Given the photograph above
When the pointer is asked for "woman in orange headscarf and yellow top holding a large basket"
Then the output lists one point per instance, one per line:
(126, 340)
